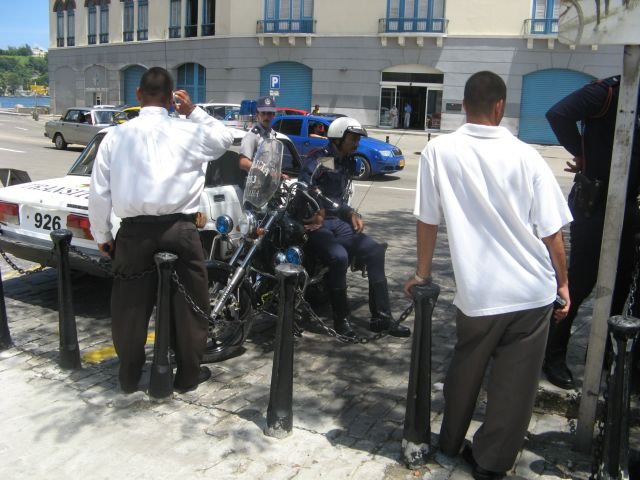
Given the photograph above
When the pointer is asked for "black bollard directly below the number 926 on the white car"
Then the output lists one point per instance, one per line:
(69, 349)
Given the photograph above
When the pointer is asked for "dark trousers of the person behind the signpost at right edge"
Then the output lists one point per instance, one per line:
(586, 240)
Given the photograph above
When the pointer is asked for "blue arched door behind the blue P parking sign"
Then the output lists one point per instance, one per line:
(294, 84)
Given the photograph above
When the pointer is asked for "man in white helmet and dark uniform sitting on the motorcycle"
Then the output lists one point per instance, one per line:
(335, 233)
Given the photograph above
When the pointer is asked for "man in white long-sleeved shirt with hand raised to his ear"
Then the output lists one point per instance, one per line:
(149, 172)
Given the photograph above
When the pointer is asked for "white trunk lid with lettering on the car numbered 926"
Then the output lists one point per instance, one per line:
(71, 191)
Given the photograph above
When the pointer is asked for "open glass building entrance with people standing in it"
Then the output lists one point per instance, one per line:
(420, 87)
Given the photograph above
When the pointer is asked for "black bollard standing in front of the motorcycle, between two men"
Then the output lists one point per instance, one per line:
(279, 412)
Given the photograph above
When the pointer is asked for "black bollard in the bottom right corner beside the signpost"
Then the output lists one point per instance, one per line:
(615, 460)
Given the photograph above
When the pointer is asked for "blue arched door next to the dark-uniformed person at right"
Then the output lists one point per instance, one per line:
(540, 91)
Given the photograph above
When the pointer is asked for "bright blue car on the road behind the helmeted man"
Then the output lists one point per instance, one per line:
(374, 157)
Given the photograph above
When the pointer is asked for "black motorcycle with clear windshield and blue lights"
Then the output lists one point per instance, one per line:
(271, 234)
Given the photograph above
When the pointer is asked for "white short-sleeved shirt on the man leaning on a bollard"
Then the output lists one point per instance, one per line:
(499, 199)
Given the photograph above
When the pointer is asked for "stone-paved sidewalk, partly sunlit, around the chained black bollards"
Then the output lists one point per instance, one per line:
(348, 400)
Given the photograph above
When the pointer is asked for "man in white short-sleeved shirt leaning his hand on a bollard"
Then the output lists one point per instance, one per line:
(504, 212)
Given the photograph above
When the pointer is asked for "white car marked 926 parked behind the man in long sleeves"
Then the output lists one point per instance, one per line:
(30, 211)
